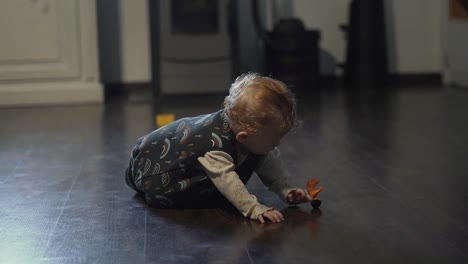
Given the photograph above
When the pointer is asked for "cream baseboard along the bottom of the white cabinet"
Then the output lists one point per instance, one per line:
(50, 93)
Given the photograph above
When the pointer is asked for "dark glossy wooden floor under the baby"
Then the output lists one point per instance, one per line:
(394, 166)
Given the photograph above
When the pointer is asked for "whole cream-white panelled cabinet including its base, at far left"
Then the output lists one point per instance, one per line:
(48, 52)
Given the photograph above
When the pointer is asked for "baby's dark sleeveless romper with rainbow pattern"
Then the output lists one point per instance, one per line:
(164, 168)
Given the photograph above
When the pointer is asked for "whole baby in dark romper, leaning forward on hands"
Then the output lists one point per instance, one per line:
(201, 160)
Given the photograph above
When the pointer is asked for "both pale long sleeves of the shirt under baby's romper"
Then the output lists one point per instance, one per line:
(220, 169)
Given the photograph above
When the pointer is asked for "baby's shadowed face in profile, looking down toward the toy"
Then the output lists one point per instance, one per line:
(266, 138)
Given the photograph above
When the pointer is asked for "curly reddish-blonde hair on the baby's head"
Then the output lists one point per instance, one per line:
(253, 100)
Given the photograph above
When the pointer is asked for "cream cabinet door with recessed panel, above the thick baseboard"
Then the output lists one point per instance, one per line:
(39, 40)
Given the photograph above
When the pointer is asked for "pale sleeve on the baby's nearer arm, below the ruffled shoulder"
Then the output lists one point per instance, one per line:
(220, 169)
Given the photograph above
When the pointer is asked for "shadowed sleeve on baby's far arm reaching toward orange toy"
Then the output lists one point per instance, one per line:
(274, 175)
